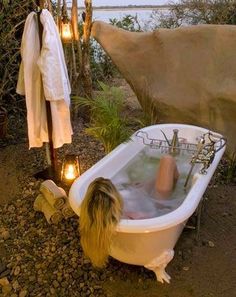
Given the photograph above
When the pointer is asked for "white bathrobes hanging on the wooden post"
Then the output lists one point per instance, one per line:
(47, 66)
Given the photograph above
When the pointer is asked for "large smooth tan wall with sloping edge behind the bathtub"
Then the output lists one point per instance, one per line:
(184, 75)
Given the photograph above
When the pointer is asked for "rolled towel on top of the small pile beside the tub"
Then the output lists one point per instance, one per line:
(55, 197)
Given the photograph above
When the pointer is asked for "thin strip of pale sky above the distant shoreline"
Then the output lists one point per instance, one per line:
(124, 2)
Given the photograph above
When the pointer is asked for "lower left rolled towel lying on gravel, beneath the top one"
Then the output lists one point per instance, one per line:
(52, 215)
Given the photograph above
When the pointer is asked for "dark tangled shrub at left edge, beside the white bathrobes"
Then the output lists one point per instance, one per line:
(12, 18)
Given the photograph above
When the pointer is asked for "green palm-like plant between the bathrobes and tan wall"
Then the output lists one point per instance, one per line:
(108, 123)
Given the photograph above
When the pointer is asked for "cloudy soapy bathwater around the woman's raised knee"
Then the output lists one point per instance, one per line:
(136, 184)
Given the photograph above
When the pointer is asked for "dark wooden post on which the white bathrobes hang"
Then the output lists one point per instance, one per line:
(52, 158)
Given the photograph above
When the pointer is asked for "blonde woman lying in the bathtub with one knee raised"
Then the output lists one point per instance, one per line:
(104, 205)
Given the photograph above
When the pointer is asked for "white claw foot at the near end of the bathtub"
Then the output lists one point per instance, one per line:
(159, 264)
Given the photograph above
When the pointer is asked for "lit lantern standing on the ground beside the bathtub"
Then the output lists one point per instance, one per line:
(70, 168)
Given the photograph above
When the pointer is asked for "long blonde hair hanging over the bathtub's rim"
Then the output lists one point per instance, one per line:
(100, 213)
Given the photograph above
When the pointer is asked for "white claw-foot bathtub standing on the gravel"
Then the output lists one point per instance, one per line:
(147, 242)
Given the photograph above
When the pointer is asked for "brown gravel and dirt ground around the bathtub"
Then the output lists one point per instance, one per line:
(38, 259)
